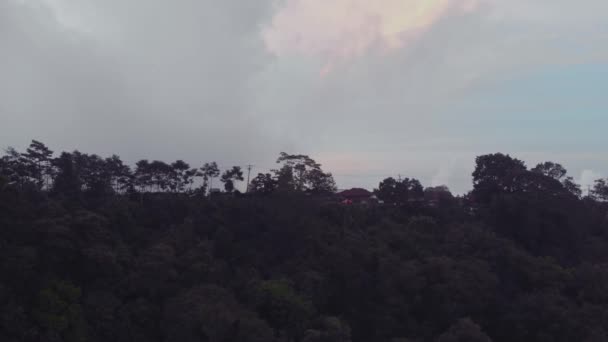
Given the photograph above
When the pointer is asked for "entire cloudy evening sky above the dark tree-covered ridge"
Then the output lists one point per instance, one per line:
(370, 89)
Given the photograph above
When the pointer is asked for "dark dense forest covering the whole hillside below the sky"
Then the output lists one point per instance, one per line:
(93, 249)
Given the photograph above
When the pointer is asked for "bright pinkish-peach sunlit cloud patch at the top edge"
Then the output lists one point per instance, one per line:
(344, 29)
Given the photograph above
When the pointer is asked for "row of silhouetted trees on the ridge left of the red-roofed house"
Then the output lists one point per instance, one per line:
(75, 172)
